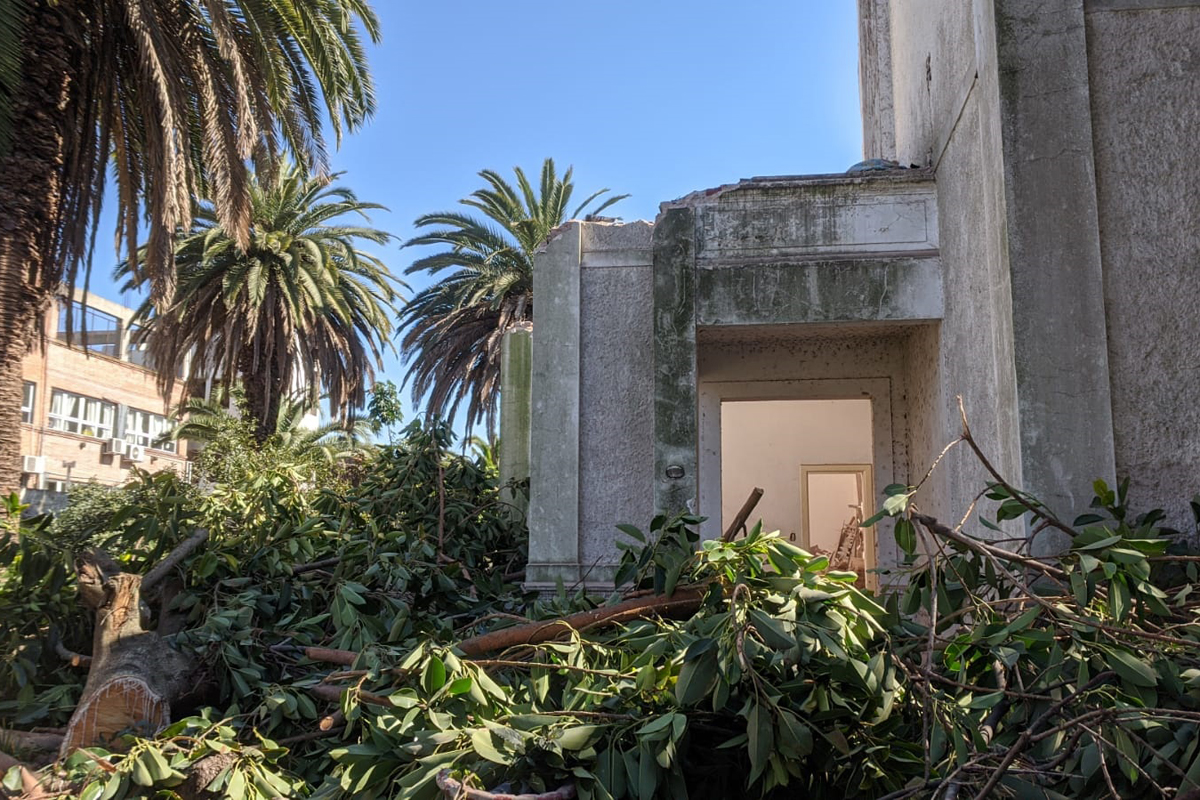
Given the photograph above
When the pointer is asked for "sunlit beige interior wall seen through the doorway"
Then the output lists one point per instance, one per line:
(765, 444)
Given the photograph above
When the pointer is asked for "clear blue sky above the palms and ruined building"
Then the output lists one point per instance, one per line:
(652, 98)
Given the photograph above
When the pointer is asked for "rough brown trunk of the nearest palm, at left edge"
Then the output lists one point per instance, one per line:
(31, 194)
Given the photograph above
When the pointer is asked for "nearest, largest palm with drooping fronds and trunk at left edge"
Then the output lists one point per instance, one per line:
(177, 97)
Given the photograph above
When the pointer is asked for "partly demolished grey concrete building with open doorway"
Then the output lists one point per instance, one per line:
(1033, 249)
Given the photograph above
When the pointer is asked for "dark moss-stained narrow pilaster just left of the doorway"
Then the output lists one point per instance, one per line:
(676, 462)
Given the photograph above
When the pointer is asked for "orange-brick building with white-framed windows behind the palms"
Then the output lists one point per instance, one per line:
(92, 410)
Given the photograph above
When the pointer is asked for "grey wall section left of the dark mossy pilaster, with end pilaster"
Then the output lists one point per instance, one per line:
(593, 392)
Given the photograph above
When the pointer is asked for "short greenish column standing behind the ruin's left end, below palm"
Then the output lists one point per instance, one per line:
(515, 410)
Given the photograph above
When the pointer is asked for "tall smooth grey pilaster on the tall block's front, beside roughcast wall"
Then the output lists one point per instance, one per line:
(1054, 251)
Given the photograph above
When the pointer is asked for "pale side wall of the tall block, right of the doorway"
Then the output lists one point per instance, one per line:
(947, 113)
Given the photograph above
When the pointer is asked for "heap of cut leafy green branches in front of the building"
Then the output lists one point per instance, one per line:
(737, 667)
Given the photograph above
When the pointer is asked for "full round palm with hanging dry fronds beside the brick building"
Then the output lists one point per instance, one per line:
(301, 305)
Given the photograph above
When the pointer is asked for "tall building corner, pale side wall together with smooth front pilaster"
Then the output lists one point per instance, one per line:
(994, 95)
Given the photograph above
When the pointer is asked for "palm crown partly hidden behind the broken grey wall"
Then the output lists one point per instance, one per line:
(453, 329)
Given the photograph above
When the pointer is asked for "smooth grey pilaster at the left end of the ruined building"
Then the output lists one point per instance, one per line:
(555, 419)
